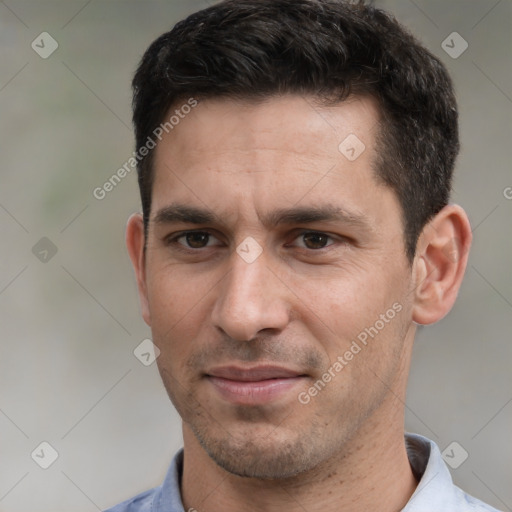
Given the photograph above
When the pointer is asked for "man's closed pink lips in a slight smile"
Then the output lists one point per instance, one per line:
(254, 386)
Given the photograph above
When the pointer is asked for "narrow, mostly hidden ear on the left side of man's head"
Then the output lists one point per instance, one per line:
(135, 240)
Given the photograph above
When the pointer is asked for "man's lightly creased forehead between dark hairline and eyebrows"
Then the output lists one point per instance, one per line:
(227, 154)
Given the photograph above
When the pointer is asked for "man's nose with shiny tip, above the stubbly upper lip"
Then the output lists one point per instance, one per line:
(251, 299)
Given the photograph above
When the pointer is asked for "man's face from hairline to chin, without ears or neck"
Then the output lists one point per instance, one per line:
(270, 251)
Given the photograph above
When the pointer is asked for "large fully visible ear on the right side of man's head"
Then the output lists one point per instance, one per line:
(439, 264)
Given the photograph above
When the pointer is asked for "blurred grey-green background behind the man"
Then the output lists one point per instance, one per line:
(70, 319)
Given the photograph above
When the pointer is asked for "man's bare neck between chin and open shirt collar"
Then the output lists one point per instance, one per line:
(372, 473)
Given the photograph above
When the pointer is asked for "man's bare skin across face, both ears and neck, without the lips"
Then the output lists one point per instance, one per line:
(299, 304)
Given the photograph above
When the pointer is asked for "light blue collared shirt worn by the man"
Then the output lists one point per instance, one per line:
(436, 491)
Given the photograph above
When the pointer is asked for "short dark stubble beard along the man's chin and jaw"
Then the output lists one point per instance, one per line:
(270, 445)
